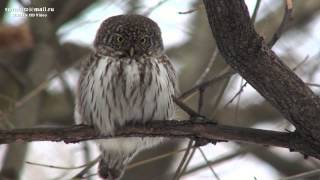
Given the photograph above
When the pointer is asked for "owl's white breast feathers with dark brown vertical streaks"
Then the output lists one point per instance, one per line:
(128, 91)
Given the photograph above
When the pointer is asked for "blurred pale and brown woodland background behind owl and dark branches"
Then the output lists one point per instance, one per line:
(39, 59)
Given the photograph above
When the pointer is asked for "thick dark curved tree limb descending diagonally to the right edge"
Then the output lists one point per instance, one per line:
(247, 53)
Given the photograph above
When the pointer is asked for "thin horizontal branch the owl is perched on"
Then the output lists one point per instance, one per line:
(199, 129)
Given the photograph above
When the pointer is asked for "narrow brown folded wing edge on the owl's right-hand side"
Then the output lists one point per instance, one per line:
(171, 73)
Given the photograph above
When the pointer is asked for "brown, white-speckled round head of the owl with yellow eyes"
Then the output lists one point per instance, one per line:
(129, 36)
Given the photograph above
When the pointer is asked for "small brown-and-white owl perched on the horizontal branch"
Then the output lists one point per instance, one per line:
(127, 80)
